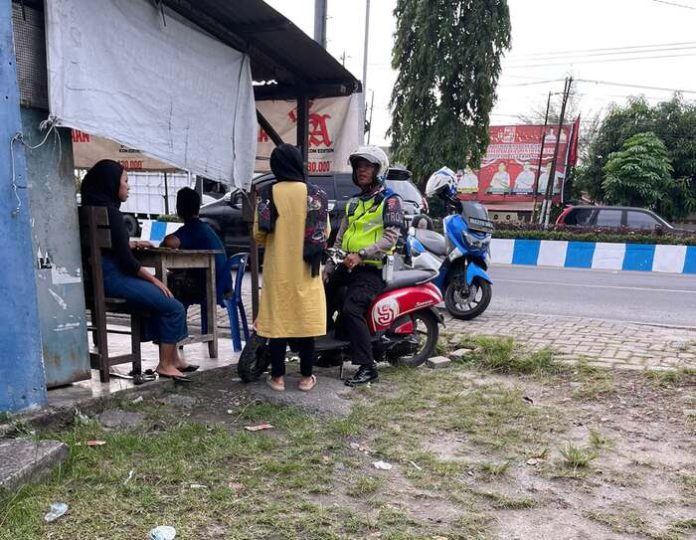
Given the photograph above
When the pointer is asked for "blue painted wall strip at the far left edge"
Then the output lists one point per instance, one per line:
(22, 383)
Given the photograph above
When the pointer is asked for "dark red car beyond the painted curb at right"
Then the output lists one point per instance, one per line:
(613, 216)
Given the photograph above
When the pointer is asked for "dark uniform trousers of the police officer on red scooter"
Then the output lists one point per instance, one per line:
(361, 286)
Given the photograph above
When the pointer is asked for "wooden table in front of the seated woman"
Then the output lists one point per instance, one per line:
(164, 259)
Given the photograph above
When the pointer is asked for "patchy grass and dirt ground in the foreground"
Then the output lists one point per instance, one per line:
(546, 453)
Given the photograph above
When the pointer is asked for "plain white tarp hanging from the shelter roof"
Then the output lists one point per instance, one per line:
(117, 70)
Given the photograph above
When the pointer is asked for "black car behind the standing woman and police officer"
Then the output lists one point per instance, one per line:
(225, 214)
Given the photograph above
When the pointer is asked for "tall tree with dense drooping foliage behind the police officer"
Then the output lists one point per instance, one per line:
(448, 55)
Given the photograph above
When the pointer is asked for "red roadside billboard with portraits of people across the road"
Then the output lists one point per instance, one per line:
(509, 170)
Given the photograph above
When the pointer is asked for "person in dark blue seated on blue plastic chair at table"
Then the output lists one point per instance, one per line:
(195, 234)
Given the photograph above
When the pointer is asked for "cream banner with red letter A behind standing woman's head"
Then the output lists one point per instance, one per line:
(334, 131)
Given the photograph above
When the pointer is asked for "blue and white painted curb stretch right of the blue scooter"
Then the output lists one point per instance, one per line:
(595, 255)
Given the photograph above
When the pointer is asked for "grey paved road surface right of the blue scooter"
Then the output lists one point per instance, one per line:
(621, 296)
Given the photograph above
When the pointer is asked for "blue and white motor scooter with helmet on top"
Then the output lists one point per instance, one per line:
(461, 256)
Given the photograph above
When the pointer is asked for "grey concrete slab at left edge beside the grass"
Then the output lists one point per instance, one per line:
(22, 461)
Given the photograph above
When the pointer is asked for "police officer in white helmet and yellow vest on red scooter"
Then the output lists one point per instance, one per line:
(369, 231)
